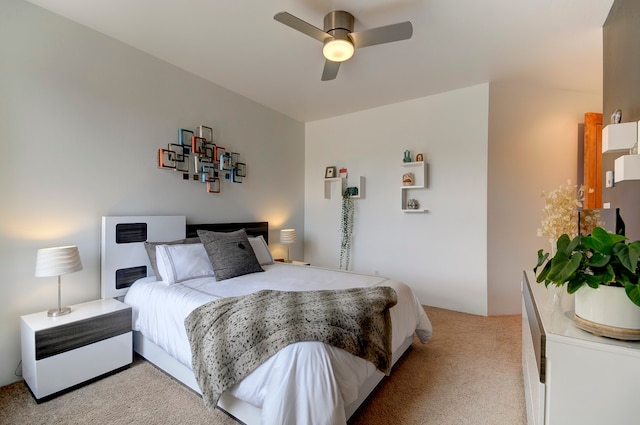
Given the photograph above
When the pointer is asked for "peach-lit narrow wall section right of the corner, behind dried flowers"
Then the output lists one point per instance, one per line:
(533, 146)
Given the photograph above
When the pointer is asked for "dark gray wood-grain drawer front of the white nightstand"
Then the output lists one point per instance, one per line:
(56, 340)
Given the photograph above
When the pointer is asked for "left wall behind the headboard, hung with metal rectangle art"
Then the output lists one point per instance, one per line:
(81, 119)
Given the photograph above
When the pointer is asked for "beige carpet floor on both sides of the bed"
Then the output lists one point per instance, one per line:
(469, 373)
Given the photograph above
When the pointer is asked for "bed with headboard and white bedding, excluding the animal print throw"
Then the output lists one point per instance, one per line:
(290, 387)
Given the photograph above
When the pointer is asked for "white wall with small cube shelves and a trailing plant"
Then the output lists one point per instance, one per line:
(441, 254)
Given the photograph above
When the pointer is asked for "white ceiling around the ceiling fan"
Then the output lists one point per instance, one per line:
(456, 43)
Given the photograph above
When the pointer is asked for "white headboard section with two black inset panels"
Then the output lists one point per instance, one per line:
(123, 257)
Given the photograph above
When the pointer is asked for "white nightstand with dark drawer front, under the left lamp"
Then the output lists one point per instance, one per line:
(60, 353)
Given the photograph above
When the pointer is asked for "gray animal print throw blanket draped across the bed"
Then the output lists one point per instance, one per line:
(231, 337)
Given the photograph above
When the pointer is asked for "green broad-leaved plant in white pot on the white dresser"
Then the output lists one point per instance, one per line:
(599, 268)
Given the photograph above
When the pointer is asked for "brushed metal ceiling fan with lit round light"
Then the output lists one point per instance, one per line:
(339, 39)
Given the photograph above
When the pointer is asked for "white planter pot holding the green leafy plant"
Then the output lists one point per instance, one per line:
(607, 305)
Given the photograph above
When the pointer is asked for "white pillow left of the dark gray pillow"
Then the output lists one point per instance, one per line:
(177, 263)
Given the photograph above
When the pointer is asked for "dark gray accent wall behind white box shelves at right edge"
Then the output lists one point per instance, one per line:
(621, 85)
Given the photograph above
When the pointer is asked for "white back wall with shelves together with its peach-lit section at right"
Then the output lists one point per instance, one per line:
(492, 149)
